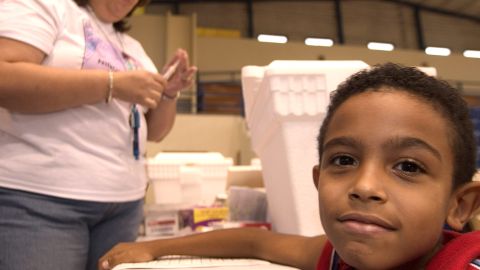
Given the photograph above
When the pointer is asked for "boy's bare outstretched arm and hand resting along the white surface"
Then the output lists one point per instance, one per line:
(297, 251)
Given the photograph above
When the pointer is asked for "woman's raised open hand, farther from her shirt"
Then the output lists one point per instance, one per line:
(183, 76)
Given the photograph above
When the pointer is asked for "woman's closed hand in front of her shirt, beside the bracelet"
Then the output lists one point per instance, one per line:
(141, 87)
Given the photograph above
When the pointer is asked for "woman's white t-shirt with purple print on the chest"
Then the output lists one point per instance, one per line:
(81, 153)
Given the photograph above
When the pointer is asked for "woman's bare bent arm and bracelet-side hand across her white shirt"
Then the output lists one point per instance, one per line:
(28, 87)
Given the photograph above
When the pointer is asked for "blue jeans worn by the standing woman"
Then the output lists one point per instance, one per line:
(43, 232)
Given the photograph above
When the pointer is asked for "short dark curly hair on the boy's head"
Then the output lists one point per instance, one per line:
(444, 98)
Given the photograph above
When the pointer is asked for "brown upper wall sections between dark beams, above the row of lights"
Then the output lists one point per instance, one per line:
(363, 21)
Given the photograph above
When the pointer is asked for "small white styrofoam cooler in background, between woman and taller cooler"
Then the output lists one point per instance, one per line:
(188, 178)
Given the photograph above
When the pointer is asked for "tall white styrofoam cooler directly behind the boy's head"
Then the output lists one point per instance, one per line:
(285, 103)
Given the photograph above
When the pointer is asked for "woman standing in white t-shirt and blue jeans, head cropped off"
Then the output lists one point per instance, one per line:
(78, 100)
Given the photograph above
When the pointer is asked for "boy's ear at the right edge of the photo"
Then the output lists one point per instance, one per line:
(464, 202)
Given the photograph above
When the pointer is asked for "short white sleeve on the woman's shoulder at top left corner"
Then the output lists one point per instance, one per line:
(35, 22)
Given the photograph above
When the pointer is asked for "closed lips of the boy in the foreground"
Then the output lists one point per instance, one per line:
(365, 223)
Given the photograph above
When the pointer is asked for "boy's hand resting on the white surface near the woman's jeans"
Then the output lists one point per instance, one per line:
(126, 252)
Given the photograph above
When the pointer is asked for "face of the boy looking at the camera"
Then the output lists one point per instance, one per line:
(385, 180)
